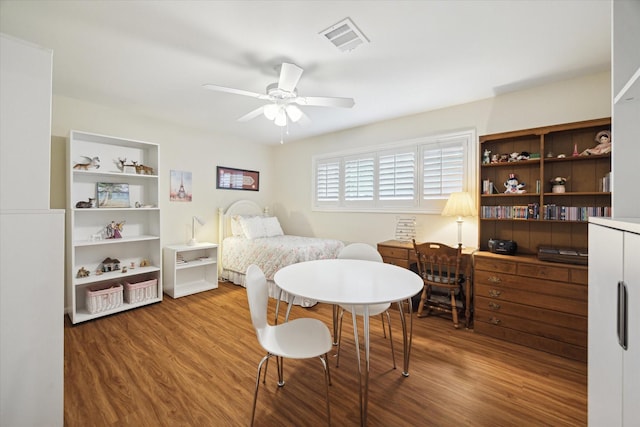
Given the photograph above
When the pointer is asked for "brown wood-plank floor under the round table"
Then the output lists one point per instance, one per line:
(192, 362)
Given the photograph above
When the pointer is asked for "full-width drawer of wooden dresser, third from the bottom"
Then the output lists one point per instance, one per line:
(531, 298)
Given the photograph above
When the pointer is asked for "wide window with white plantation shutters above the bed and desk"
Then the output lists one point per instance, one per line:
(416, 175)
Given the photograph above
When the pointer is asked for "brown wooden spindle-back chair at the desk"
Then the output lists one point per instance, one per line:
(439, 266)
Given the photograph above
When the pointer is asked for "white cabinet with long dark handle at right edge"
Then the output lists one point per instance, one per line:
(614, 322)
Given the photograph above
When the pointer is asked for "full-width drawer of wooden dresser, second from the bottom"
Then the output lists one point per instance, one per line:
(536, 314)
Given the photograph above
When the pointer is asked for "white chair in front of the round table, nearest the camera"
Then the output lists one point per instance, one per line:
(297, 339)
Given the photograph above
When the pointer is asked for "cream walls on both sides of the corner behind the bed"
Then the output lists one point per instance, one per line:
(285, 170)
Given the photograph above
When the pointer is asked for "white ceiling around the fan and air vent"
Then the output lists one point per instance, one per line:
(152, 57)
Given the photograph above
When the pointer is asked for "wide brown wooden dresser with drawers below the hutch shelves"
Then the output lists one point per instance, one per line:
(530, 302)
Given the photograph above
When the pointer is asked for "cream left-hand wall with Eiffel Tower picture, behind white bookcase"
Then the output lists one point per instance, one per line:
(180, 149)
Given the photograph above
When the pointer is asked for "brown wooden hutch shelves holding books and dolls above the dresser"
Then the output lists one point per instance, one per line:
(584, 187)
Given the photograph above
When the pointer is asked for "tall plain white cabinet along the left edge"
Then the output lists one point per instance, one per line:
(31, 244)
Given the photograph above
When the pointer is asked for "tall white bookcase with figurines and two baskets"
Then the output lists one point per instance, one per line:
(121, 195)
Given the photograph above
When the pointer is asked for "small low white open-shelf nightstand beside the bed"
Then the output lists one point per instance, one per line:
(190, 269)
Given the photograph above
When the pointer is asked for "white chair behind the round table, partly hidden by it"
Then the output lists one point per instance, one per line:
(368, 253)
